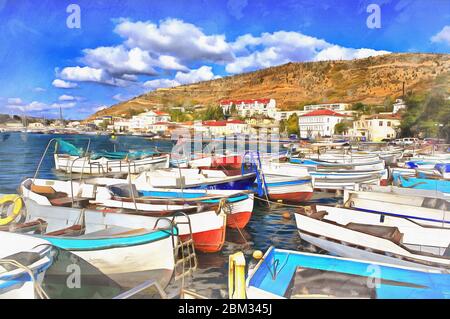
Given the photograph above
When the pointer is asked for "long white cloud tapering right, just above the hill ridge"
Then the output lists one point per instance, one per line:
(281, 47)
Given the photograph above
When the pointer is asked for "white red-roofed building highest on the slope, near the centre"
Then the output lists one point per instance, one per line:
(250, 107)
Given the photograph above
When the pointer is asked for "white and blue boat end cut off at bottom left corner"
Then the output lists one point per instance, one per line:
(20, 257)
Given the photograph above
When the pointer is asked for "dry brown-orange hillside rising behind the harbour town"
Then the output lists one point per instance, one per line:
(368, 80)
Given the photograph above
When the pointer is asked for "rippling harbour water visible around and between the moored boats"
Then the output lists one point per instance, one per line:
(20, 154)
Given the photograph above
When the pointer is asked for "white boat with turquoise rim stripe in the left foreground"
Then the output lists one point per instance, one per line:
(127, 248)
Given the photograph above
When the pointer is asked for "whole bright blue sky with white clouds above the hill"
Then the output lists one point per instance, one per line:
(125, 48)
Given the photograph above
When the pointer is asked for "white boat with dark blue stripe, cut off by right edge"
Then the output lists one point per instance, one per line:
(422, 210)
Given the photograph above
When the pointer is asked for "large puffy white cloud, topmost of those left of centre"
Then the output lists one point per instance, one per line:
(176, 38)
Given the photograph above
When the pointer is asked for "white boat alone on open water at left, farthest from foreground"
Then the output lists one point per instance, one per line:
(68, 163)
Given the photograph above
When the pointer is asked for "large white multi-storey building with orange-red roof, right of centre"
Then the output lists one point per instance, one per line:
(319, 123)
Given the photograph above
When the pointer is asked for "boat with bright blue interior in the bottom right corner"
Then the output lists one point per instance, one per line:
(292, 274)
